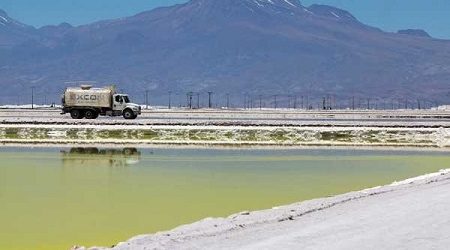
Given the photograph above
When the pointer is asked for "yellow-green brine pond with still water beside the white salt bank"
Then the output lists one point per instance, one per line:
(55, 198)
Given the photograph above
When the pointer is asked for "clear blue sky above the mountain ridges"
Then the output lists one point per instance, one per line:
(390, 15)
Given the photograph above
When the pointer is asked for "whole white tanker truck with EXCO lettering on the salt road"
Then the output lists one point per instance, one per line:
(88, 102)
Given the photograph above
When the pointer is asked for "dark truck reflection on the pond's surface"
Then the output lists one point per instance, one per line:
(95, 157)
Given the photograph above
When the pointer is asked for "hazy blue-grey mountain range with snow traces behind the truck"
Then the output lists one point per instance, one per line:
(236, 47)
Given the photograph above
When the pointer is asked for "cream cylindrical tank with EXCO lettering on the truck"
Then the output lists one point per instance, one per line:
(86, 96)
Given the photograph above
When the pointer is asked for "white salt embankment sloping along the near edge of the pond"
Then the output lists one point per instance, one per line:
(410, 214)
